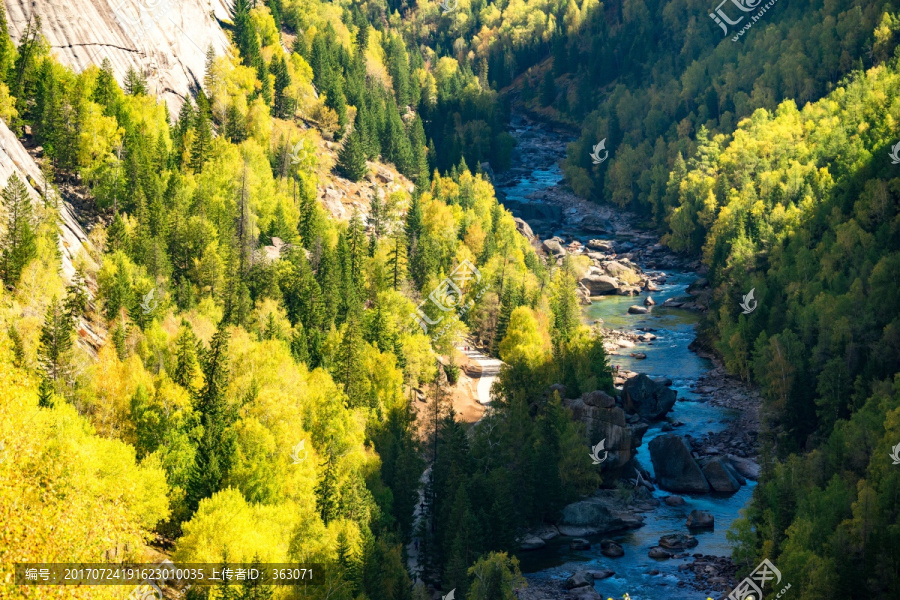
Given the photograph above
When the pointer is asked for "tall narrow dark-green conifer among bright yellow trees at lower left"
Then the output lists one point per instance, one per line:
(215, 447)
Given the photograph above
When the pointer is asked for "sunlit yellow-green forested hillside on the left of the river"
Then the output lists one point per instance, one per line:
(230, 373)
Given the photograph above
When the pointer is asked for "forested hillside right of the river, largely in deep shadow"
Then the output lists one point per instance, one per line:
(770, 158)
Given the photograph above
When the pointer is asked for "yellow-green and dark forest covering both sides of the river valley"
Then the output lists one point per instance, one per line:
(244, 352)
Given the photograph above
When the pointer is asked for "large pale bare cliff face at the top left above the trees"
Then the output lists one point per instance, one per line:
(165, 39)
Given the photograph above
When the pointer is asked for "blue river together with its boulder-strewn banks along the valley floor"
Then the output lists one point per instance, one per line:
(649, 319)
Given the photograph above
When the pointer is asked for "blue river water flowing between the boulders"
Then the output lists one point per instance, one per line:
(535, 170)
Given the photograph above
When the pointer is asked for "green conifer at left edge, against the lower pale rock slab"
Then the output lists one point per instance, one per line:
(17, 243)
